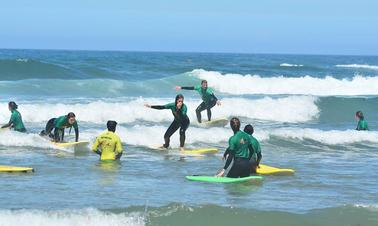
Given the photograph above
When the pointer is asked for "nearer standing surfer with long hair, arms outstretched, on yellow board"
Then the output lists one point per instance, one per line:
(181, 120)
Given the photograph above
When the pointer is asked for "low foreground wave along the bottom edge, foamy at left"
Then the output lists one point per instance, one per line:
(179, 214)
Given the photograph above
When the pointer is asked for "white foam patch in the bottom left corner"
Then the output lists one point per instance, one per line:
(84, 217)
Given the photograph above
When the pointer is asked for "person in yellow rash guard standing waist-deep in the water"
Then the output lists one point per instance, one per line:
(109, 143)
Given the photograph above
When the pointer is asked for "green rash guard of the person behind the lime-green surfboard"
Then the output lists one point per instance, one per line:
(238, 144)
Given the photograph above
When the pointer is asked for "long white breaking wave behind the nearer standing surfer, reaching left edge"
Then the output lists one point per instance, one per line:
(288, 109)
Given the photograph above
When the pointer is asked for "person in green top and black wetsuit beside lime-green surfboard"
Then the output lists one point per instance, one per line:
(240, 150)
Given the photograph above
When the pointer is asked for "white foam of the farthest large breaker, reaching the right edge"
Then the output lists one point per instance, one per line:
(307, 85)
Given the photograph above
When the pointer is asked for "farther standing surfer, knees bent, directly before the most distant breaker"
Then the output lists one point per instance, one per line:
(208, 99)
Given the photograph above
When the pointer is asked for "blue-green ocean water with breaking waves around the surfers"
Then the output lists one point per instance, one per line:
(302, 108)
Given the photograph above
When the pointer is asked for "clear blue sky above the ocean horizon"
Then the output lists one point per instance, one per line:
(266, 26)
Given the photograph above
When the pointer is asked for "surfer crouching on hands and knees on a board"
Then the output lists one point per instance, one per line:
(58, 125)
